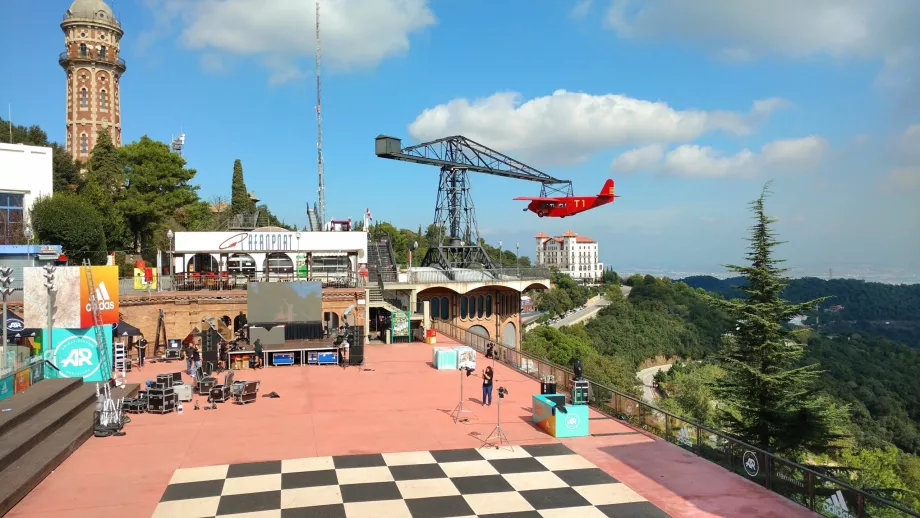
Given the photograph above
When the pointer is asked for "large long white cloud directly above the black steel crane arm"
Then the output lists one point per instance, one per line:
(568, 127)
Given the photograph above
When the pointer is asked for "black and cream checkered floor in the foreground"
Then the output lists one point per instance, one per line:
(529, 481)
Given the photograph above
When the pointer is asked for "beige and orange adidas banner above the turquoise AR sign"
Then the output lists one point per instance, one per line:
(70, 300)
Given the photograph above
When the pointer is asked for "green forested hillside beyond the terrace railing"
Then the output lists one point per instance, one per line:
(865, 379)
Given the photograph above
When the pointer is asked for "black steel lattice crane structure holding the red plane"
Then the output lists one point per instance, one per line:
(455, 213)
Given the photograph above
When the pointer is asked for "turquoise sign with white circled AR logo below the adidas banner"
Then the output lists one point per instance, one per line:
(76, 353)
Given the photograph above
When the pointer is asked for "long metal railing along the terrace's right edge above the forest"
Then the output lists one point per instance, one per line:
(808, 487)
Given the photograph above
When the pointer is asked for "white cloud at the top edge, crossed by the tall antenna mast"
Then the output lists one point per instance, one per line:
(355, 33)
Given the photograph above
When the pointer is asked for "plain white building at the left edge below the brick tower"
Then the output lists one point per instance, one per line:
(25, 174)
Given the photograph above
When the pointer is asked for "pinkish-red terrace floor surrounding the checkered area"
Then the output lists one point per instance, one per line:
(402, 405)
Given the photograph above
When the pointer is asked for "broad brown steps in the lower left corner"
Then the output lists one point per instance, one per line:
(45, 424)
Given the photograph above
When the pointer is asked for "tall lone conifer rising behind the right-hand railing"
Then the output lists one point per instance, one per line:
(767, 396)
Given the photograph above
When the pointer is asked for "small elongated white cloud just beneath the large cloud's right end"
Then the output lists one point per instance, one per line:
(693, 161)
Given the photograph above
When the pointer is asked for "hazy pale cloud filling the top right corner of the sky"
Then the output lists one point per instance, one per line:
(747, 29)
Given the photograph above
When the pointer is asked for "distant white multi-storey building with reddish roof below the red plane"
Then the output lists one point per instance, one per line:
(570, 253)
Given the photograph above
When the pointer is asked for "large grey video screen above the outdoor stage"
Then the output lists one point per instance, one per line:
(284, 302)
